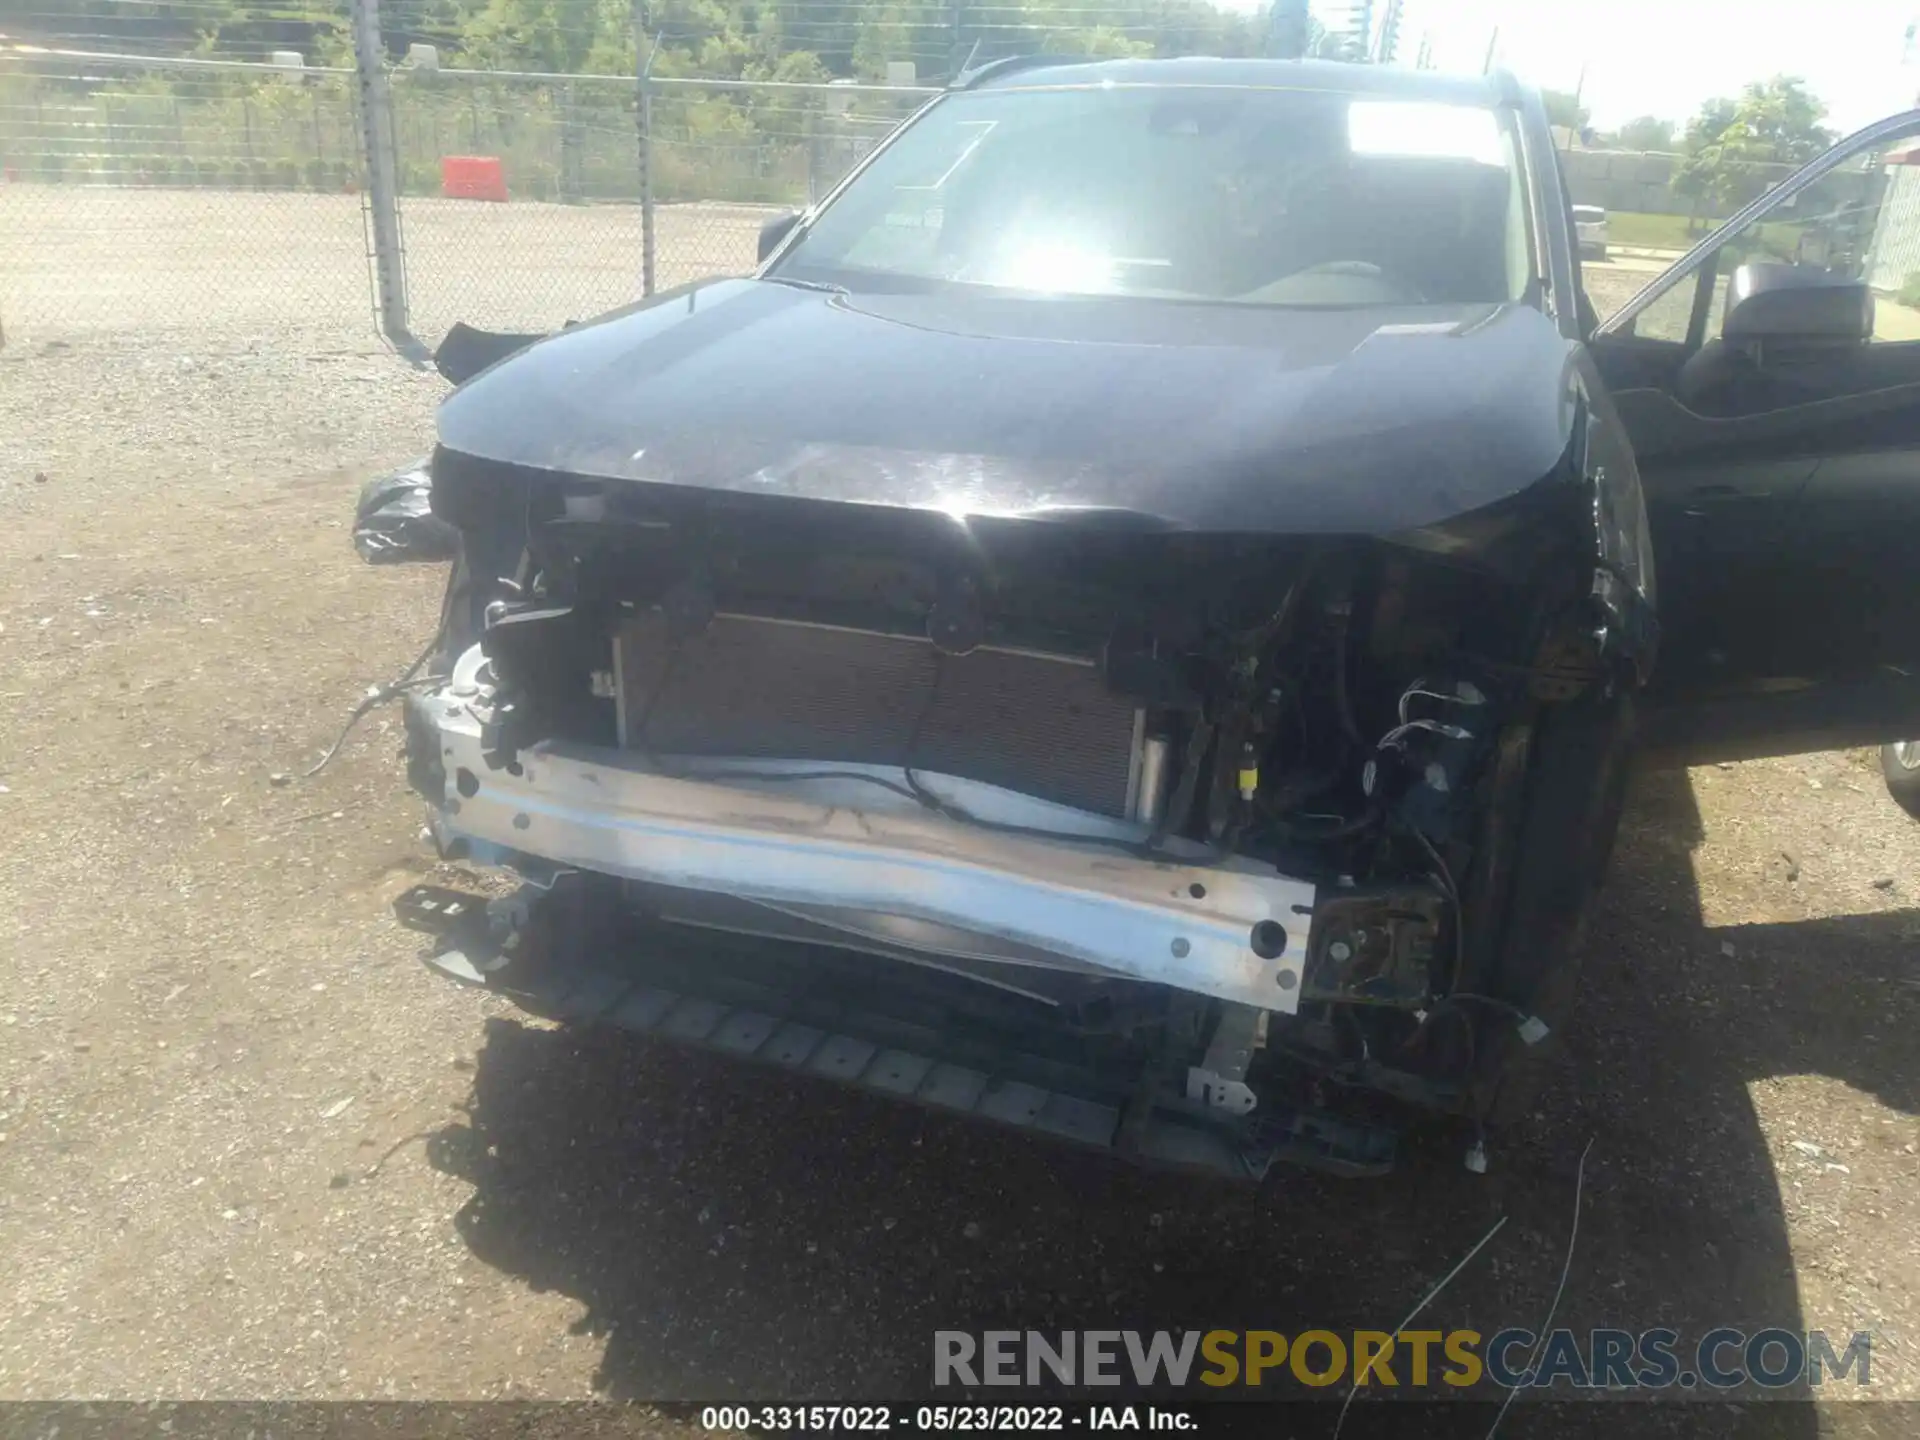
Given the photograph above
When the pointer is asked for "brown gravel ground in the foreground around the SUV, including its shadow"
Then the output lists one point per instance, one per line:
(249, 1149)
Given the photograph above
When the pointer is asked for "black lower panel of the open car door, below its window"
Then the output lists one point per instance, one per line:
(1788, 560)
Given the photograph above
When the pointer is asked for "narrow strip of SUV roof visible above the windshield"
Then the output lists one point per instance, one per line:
(1051, 72)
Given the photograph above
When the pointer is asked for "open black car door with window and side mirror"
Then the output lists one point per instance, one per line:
(1771, 389)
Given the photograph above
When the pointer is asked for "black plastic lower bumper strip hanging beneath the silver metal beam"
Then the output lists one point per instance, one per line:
(669, 986)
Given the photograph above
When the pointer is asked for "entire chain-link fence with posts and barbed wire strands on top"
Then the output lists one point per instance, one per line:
(396, 174)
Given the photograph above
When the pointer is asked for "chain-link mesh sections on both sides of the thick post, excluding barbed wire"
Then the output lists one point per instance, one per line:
(149, 195)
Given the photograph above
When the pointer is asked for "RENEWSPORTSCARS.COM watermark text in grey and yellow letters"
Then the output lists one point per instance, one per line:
(1514, 1358)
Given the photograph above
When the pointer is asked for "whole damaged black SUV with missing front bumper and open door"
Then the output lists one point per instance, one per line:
(1134, 621)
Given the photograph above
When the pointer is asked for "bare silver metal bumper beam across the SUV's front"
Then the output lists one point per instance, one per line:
(1228, 932)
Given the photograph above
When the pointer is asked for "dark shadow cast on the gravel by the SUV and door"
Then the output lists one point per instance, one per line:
(736, 1234)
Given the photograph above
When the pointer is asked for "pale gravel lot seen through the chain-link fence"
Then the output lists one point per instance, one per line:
(231, 262)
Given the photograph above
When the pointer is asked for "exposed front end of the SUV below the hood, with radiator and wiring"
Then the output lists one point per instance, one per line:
(1341, 715)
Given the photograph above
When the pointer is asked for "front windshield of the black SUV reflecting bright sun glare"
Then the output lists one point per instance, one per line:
(1188, 193)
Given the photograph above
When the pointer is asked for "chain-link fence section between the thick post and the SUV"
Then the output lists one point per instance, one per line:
(596, 204)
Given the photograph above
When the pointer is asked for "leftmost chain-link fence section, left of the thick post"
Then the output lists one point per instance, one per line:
(172, 195)
